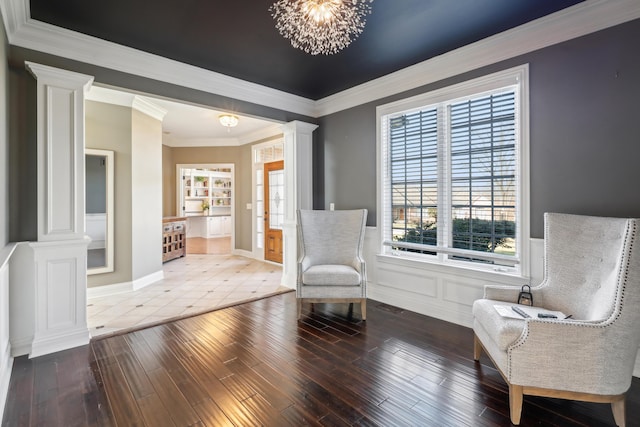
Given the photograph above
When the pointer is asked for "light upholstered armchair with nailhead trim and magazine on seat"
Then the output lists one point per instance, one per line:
(592, 272)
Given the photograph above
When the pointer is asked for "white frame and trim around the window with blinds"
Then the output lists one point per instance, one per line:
(518, 79)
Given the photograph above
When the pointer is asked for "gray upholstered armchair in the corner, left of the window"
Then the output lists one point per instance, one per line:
(330, 266)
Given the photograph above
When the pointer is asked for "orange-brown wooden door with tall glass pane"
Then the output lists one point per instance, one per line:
(273, 210)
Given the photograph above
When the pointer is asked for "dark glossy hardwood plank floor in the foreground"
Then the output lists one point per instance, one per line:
(254, 364)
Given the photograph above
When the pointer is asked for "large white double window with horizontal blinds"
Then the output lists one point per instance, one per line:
(455, 174)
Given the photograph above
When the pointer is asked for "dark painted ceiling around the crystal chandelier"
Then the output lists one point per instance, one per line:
(238, 37)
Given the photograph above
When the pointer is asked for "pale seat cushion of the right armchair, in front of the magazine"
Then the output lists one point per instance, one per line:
(504, 330)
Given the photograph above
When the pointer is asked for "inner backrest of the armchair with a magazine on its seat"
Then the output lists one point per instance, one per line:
(582, 264)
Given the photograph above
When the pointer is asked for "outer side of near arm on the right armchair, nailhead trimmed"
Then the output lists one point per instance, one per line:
(580, 356)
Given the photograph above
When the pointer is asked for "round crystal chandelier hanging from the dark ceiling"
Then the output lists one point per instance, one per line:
(320, 26)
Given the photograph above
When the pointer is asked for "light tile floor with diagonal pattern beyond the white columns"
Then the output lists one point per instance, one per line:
(191, 285)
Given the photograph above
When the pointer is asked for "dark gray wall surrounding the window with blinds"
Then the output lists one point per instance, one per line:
(584, 134)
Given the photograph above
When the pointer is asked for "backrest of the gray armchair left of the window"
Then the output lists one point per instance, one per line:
(332, 237)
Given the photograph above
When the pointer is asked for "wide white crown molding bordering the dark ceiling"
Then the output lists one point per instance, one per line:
(576, 21)
